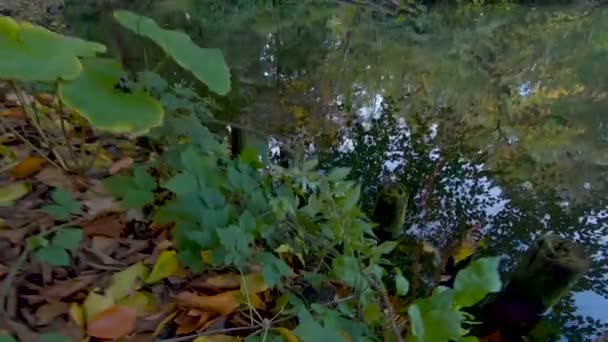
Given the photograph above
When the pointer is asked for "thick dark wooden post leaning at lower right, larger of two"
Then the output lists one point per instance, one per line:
(551, 266)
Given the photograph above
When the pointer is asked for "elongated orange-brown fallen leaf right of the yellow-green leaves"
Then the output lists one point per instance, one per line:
(224, 303)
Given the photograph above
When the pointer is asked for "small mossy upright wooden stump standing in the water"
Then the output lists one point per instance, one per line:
(389, 212)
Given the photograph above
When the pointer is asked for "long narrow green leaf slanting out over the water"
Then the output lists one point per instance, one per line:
(208, 65)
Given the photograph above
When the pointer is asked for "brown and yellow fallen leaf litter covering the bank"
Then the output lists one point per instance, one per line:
(90, 272)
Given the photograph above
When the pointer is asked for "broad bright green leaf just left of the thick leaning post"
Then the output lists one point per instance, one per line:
(478, 279)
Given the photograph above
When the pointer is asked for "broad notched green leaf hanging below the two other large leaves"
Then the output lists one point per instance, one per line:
(95, 96)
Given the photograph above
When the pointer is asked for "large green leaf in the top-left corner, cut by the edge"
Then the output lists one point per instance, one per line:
(33, 53)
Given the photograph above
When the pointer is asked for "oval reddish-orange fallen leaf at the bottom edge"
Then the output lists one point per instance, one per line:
(112, 323)
